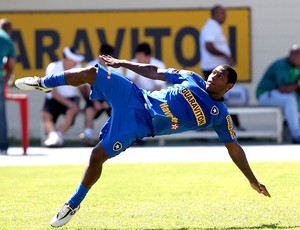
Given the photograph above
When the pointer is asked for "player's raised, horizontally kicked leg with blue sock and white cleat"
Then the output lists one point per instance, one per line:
(74, 77)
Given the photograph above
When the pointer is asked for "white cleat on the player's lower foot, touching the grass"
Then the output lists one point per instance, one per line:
(64, 215)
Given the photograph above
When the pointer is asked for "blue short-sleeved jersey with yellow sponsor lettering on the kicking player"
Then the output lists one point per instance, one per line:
(187, 106)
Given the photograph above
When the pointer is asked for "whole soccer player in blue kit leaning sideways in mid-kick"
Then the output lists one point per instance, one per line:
(191, 104)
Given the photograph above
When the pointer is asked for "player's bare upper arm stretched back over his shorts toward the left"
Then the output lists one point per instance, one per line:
(146, 70)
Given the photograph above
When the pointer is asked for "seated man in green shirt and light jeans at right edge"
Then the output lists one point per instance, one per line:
(280, 86)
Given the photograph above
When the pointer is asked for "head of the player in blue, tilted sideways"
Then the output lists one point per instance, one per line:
(222, 79)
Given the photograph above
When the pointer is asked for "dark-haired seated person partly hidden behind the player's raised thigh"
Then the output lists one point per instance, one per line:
(93, 109)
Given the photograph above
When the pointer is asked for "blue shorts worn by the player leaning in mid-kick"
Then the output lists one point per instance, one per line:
(129, 120)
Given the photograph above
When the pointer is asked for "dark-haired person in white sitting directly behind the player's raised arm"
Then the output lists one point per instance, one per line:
(143, 54)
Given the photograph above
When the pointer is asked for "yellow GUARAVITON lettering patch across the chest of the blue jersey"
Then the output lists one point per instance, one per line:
(197, 110)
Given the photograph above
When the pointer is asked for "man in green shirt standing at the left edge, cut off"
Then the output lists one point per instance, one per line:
(8, 51)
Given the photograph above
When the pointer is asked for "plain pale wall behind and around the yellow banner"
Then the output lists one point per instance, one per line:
(274, 23)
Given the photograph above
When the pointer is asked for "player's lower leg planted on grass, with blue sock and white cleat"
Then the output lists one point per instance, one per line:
(91, 175)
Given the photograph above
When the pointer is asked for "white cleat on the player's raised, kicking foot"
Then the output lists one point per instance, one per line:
(31, 83)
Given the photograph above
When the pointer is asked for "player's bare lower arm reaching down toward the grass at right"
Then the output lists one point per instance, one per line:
(238, 156)
